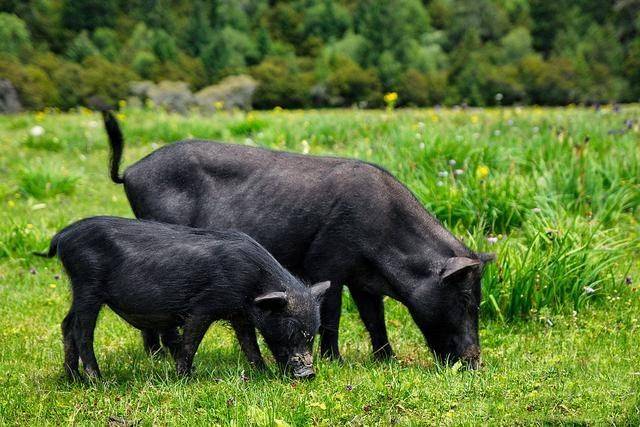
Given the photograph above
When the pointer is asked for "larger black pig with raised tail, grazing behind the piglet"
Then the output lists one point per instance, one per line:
(345, 220)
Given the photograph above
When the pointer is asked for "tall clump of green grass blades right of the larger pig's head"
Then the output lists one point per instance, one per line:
(555, 268)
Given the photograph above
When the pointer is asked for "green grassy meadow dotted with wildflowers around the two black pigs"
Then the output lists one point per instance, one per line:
(550, 190)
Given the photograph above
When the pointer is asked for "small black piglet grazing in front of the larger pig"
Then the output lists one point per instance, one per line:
(163, 276)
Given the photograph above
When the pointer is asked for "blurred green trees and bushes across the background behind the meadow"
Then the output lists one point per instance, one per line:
(329, 52)
